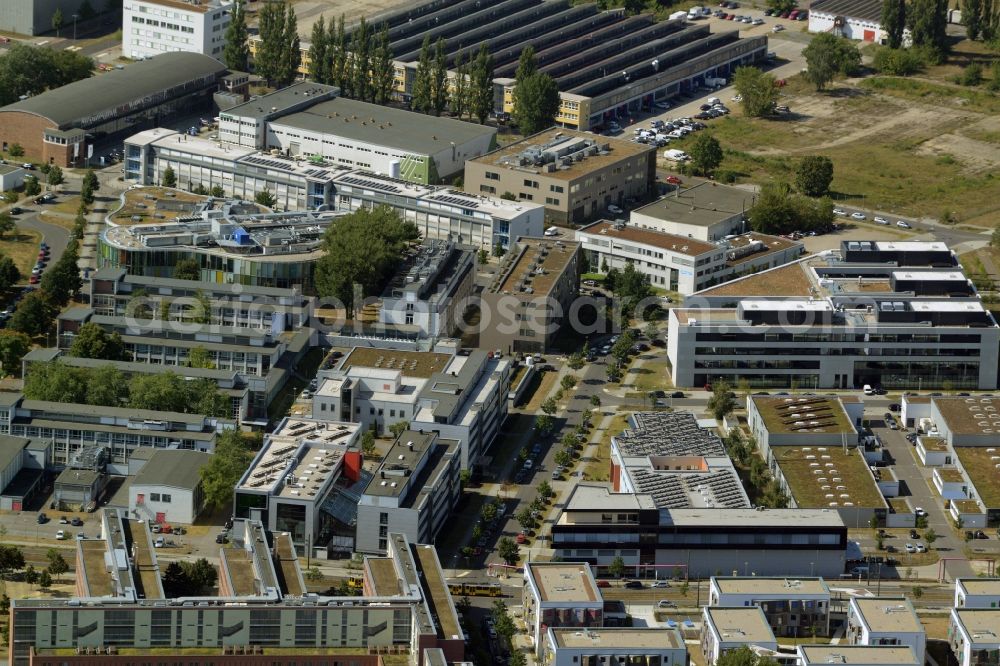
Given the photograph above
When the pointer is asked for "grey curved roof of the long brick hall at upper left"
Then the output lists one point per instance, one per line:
(76, 102)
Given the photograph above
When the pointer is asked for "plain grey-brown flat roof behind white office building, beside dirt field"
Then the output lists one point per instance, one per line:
(702, 205)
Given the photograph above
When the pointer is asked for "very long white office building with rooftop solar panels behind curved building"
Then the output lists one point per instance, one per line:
(300, 184)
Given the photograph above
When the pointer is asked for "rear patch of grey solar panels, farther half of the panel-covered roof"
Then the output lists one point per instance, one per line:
(669, 434)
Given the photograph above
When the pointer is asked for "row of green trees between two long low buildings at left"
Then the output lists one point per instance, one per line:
(107, 386)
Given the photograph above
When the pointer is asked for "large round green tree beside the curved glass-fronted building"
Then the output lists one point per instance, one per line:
(362, 248)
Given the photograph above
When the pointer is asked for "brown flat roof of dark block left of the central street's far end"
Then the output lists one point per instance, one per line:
(549, 259)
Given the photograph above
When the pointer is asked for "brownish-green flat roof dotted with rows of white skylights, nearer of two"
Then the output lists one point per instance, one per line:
(826, 477)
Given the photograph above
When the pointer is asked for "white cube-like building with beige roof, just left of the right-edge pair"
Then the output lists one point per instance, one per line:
(885, 621)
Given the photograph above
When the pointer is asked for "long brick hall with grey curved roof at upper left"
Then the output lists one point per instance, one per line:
(58, 126)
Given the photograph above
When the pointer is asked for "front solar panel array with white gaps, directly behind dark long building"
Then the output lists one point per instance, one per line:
(674, 490)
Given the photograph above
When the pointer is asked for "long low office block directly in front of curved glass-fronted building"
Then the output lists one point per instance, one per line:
(114, 292)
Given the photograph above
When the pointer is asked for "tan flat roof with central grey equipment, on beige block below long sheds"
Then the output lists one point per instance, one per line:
(607, 151)
